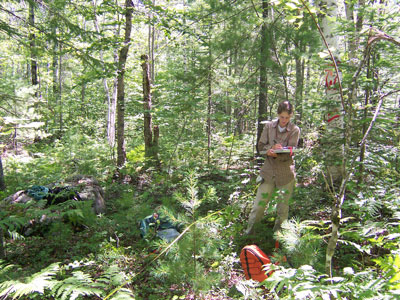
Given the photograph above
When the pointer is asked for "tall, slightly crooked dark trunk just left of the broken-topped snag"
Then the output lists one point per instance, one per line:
(122, 57)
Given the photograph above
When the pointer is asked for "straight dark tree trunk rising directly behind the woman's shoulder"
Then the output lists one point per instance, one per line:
(263, 86)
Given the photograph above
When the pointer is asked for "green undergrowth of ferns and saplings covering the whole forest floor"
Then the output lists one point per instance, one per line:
(84, 256)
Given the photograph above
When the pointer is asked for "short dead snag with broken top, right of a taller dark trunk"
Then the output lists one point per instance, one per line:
(150, 133)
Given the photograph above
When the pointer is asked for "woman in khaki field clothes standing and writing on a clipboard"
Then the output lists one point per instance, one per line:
(278, 169)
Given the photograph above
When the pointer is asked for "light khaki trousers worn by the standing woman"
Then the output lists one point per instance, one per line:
(264, 193)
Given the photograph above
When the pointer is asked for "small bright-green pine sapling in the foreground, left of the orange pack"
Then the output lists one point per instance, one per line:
(190, 259)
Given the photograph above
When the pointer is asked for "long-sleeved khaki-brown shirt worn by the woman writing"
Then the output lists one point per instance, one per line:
(278, 170)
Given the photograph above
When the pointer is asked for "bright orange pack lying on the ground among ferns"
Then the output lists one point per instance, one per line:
(252, 259)
